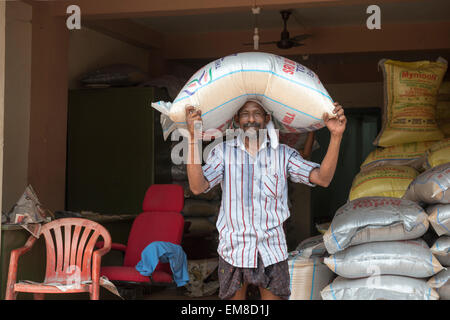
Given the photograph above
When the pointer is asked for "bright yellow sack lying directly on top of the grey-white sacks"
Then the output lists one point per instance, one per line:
(386, 181)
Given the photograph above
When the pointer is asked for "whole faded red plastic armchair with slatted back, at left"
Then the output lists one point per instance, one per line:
(73, 261)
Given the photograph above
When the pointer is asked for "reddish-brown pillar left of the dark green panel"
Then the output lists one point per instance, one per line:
(48, 108)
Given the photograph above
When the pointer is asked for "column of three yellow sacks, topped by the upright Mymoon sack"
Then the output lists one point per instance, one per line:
(409, 128)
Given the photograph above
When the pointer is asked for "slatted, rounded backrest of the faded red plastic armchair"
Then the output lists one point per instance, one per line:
(69, 245)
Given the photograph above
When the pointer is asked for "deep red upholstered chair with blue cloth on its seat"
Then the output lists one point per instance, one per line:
(161, 220)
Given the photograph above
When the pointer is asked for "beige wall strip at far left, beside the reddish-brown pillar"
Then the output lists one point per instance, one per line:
(17, 101)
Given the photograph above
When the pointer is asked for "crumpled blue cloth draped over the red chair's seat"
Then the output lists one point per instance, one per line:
(164, 252)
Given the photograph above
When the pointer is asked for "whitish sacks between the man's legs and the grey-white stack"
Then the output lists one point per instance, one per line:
(308, 274)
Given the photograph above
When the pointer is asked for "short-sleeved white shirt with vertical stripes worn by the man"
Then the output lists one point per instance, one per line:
(254, 199)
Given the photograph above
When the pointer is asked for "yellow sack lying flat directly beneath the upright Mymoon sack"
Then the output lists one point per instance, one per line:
(408, 154)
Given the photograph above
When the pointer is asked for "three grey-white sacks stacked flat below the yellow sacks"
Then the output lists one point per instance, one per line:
(377, 253)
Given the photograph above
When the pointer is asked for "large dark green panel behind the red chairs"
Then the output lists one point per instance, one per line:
(110, 149)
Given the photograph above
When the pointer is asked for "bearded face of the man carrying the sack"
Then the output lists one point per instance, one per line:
(252, 117)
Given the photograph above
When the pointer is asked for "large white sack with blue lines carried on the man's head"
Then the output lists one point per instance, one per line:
(292, 93)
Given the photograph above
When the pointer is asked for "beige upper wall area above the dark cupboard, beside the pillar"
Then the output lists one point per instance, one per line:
(89, 50)
